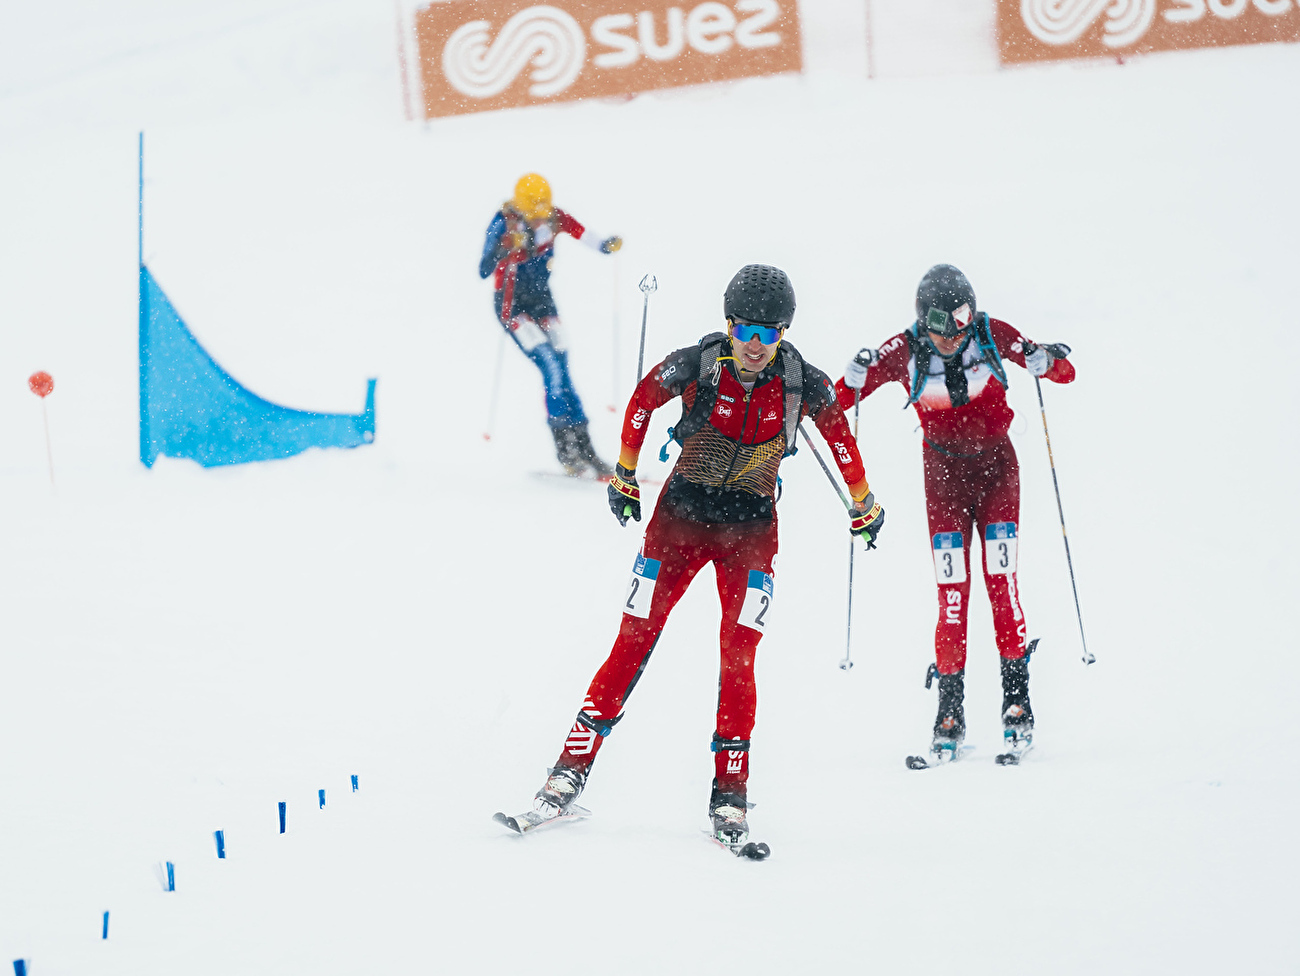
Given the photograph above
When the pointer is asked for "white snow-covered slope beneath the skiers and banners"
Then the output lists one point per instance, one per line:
(183, 649)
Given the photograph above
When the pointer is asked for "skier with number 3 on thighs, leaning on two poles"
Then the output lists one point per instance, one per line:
(952, 363)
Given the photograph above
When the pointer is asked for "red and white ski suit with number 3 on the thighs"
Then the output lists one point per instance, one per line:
(972, 476)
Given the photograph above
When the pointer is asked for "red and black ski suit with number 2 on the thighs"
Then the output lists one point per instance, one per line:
(717, 507)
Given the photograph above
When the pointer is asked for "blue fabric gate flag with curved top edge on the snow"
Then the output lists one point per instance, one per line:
(190, 407)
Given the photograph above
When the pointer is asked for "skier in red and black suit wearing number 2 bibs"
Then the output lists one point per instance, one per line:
(743, 396)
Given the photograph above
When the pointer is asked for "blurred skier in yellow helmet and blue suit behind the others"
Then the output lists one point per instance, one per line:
(518, 254)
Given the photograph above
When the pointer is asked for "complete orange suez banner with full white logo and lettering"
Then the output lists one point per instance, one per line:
(482, 55)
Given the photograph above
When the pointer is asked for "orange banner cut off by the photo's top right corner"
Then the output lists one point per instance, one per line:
(1056, 31)
